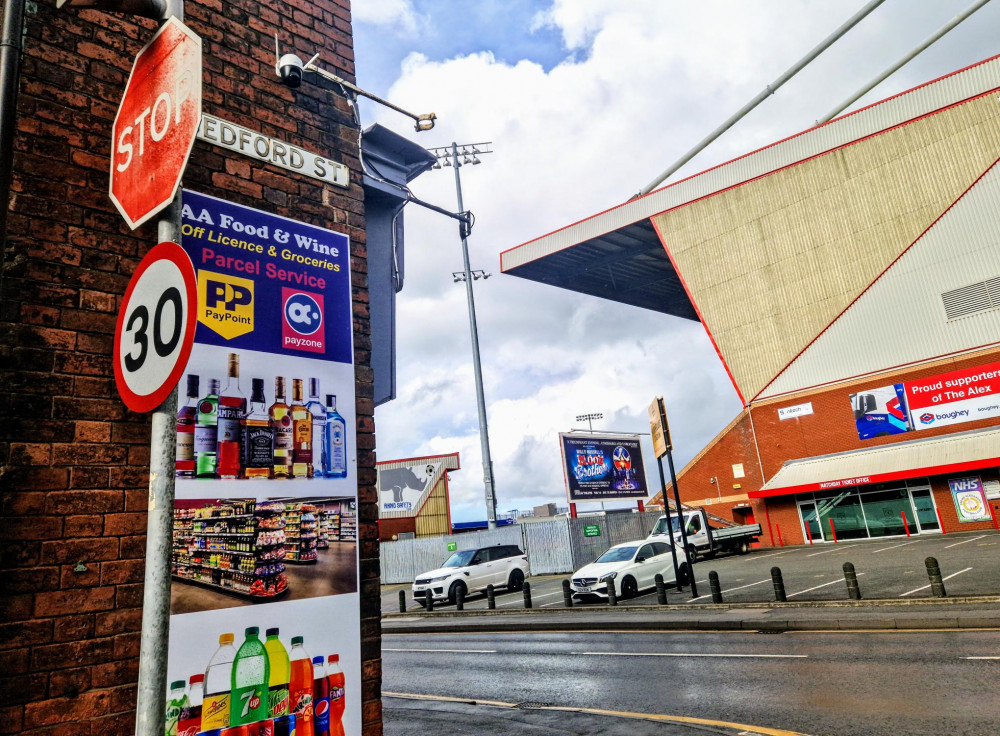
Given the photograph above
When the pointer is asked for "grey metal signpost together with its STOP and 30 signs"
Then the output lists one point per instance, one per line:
(152, 137)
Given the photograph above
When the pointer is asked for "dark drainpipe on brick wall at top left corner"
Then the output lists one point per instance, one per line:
(10, 73)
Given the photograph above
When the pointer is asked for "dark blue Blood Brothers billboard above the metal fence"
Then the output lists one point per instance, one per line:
(602, 468)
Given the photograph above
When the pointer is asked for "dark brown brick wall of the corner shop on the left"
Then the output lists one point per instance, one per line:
(73, 460)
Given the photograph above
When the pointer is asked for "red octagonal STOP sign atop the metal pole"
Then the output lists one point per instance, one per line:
(156, 123)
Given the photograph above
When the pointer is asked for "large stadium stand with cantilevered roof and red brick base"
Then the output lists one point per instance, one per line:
(849, 279)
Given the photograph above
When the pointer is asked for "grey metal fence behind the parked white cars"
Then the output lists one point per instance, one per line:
(556, 546)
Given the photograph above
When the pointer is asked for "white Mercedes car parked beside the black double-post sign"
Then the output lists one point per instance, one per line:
(631, 567)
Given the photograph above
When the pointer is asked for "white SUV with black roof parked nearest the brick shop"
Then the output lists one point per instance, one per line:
(470, 571)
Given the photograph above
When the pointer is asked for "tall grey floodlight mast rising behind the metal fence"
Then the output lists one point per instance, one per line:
(449, 156)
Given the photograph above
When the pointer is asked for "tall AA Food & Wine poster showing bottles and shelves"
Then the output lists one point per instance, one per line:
(265, 622)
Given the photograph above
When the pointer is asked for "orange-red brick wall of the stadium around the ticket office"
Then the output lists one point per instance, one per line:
(830, 428)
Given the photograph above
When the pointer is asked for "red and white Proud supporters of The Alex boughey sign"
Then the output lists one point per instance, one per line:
(954, 398)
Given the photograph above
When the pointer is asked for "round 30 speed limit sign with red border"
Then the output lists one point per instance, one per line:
(155, 327)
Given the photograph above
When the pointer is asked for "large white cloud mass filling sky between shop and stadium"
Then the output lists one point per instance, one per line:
(641, 83)
